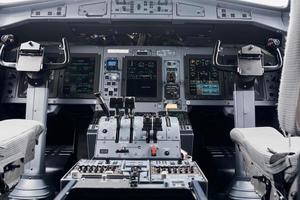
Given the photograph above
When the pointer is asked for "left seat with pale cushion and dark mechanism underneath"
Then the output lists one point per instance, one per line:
(17, 143)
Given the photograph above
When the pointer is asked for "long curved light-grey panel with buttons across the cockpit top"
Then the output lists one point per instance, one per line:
(175, 11)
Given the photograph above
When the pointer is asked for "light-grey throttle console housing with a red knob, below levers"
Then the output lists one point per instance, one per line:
(168, 140)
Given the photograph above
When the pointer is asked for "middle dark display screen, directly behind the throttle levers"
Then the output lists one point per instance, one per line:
(143, 75)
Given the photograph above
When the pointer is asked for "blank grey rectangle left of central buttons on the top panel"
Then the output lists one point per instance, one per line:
(93, 10)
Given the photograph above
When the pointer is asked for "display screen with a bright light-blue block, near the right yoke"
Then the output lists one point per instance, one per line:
(203, 78)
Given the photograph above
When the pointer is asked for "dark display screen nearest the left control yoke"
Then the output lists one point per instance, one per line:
(79, 77)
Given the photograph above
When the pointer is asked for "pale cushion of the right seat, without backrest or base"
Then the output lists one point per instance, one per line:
(259, 144)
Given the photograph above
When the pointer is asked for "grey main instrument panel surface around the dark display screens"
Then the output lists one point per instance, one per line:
(168, 54)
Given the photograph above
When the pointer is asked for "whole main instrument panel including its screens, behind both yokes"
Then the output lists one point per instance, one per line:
(154, 75)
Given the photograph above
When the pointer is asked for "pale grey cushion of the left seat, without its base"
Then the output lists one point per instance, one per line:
(17, 140)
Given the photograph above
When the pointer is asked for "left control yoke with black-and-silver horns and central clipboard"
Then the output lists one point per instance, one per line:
(34, 51)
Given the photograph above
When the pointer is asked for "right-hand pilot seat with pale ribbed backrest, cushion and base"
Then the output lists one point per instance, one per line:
(271, 157)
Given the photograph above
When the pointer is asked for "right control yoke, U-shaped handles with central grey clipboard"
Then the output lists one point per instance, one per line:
(247, 53)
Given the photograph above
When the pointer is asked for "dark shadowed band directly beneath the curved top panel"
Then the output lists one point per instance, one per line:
(163, 34)
